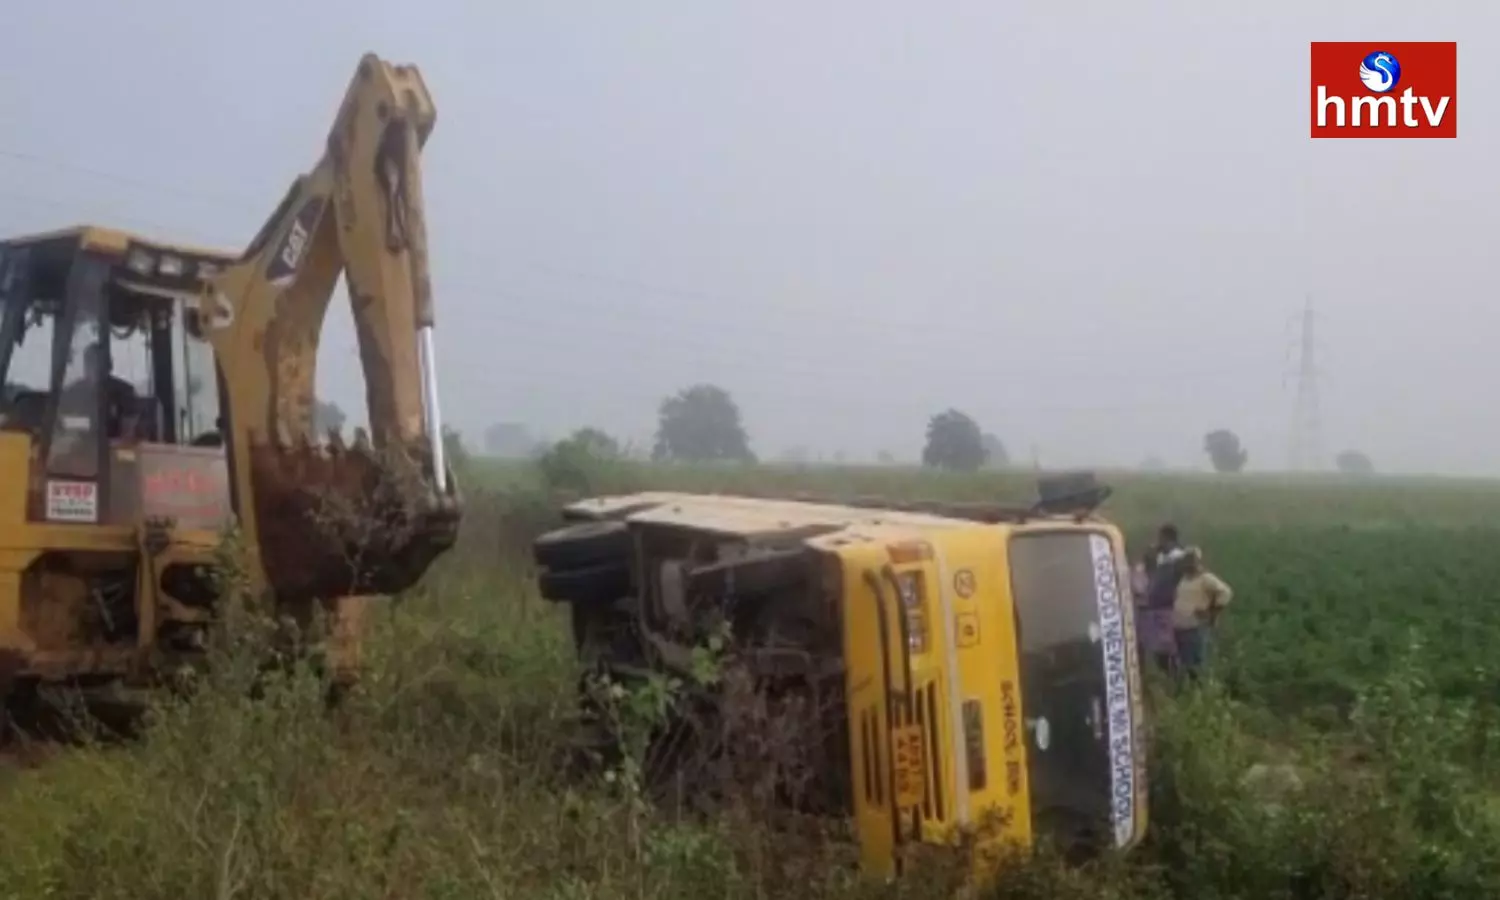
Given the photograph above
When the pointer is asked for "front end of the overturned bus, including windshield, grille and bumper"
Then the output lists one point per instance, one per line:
(992, 686)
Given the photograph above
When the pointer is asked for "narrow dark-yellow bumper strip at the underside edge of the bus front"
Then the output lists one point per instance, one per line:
(868, 709)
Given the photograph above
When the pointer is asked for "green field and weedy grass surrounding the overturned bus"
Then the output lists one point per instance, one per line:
(1360, 665)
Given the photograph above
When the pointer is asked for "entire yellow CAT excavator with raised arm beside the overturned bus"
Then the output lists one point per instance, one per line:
(119, 491)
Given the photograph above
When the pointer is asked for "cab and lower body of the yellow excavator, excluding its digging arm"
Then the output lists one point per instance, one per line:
(113, 508)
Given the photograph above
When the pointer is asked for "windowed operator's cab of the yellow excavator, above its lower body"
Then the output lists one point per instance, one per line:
(112, 382)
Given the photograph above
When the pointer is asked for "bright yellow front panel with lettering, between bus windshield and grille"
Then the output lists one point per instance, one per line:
(989, 674)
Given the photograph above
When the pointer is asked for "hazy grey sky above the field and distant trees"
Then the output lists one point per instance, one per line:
(1087, 224)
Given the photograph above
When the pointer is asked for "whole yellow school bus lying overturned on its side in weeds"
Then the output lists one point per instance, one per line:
(983, 659)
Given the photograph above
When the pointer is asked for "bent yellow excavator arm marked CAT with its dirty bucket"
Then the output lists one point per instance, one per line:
(328, 520)
